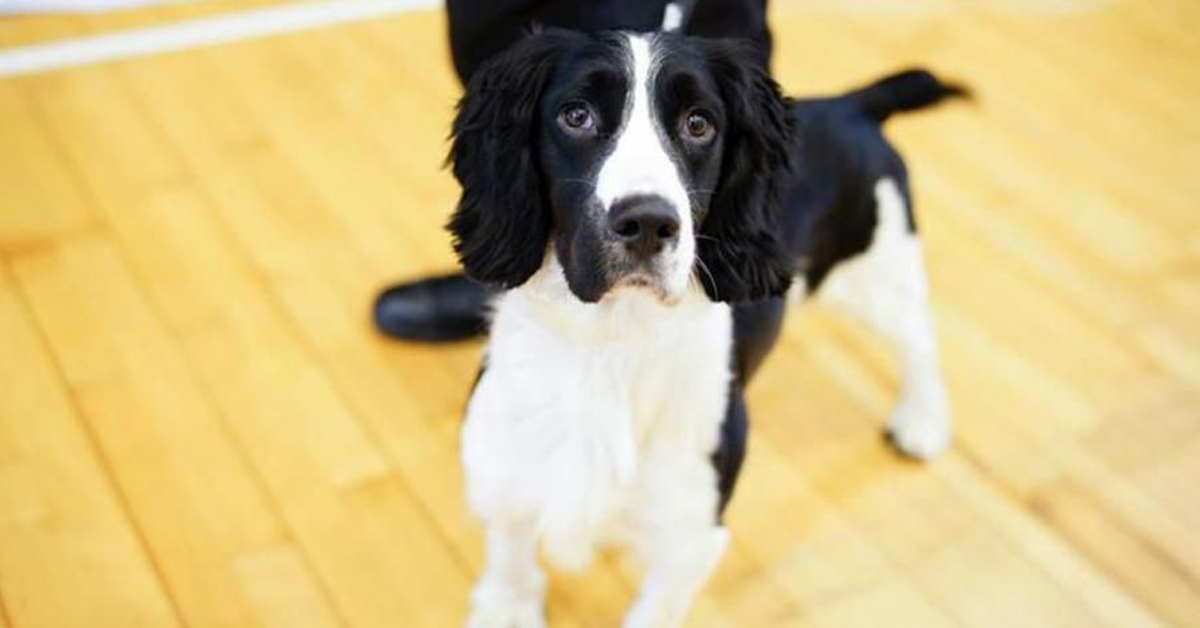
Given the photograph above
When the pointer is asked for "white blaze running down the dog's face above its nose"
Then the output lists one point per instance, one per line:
(641, 162)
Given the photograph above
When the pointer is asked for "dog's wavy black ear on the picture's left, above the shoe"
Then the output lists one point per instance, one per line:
(502, 225)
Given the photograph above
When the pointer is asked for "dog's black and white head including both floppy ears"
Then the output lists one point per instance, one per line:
(637, 160)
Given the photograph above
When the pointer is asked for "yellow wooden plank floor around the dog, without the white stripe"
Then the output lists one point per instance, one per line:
(200, 428)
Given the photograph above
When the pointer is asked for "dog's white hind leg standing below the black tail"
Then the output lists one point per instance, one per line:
(887, 289)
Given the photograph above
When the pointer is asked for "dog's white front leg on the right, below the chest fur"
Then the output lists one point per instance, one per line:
(676, 573)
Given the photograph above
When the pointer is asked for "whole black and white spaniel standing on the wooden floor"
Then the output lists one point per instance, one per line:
(646, 201)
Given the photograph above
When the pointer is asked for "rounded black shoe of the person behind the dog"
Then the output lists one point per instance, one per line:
(434, 310)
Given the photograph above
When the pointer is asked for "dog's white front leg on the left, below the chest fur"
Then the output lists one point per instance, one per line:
(512, 591)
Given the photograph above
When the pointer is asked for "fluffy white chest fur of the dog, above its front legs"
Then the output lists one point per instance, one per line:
(595, 424)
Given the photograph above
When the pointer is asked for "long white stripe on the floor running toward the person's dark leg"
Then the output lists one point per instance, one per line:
(196, 33)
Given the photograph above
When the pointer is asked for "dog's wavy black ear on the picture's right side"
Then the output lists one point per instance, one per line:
(741, 244)
